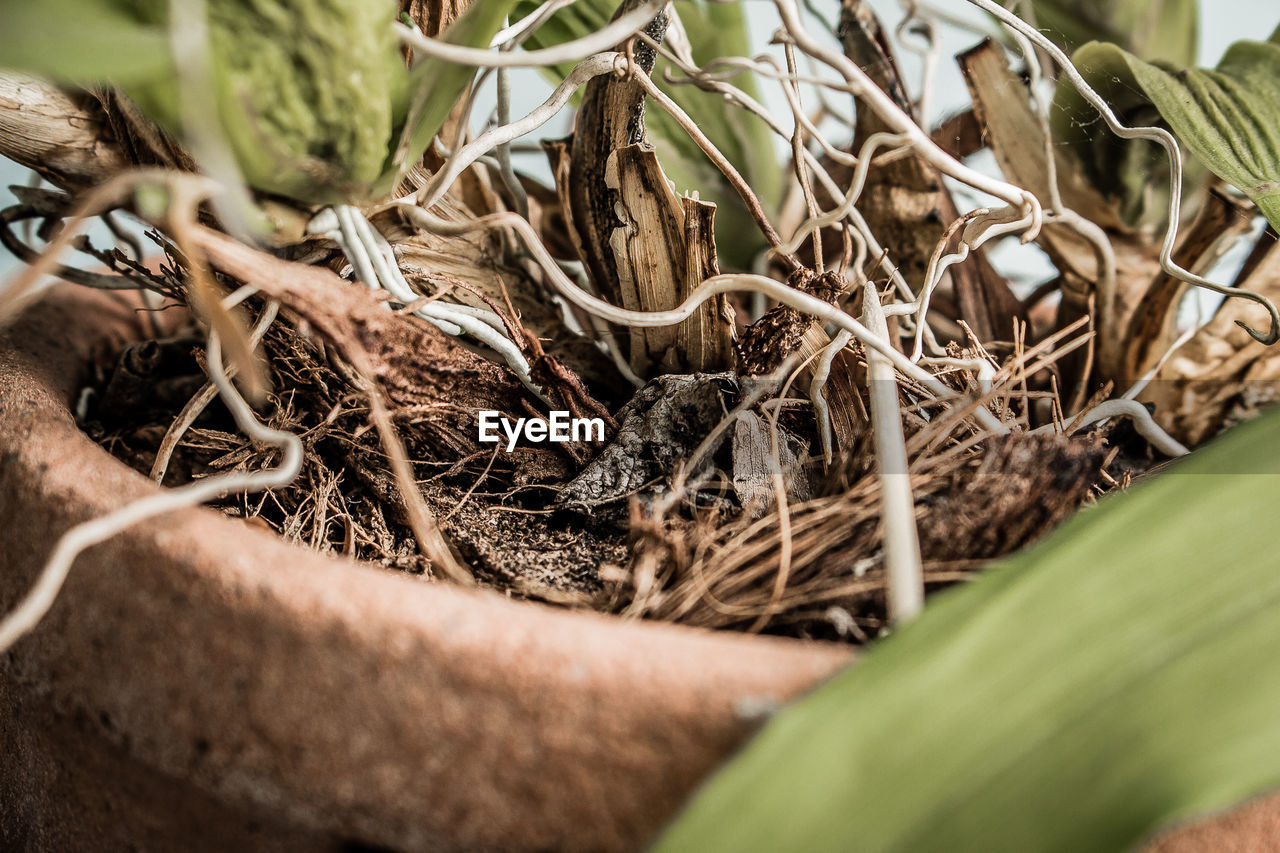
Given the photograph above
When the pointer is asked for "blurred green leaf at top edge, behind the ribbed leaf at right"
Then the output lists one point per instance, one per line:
(1155, 30)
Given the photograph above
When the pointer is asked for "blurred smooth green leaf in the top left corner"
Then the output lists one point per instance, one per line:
(81, 42)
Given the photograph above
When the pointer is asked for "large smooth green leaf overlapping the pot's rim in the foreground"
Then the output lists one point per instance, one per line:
(1117, 678)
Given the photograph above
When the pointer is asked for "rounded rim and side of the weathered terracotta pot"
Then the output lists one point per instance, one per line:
(204, 685)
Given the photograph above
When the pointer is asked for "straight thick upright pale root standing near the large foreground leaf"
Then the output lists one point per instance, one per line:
(903, 568)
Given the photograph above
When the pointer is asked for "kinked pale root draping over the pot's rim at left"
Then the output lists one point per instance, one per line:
(29, 612)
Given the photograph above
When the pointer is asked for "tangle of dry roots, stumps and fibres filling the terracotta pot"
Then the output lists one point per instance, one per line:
(739, 485)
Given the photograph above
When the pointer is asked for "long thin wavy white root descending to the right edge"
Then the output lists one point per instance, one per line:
(1155, 135)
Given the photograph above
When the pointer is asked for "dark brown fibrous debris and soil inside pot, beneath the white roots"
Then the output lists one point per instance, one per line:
(607, 535)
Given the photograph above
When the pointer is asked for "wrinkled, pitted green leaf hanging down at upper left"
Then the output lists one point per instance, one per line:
(304, 93)
